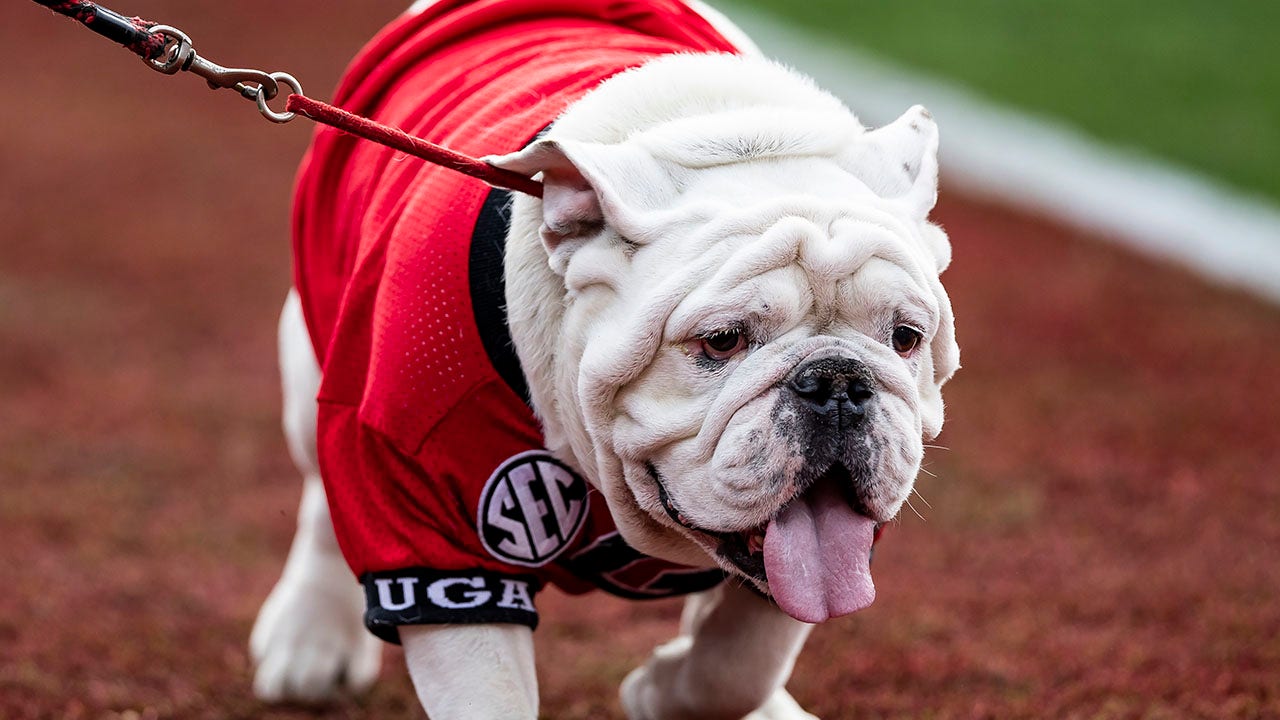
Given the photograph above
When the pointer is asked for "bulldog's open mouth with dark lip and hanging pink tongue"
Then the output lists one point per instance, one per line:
(813, 557)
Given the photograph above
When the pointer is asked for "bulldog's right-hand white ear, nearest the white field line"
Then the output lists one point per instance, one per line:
(900, 162)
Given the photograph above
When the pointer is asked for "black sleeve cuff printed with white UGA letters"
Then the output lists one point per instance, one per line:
(419, 596)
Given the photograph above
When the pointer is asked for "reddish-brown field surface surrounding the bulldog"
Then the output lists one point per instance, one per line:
(1101, 540)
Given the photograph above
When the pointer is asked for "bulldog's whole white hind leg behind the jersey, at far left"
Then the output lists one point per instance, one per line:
(309, 641)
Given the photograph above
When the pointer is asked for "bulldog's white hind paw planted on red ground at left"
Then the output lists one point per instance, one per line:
(309, 642)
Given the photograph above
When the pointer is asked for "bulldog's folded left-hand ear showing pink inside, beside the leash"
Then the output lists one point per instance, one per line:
(587, 188)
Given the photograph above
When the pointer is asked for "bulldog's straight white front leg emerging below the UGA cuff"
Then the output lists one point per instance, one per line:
(473, 672)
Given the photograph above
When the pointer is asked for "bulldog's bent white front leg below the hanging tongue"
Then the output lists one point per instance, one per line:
(734, 654)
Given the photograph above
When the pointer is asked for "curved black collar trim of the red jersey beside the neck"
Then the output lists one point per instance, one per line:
(490, 290)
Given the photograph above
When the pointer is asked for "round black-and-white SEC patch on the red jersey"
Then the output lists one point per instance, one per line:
(532, 509)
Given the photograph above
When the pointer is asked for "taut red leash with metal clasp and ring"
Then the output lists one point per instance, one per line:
(170, 51)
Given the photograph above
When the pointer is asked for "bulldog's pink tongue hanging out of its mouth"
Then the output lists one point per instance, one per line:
(817, 557)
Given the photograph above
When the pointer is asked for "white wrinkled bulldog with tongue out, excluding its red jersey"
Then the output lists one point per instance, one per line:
(729, 312)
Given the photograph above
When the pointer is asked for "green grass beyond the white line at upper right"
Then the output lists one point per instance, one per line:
(1194, 81)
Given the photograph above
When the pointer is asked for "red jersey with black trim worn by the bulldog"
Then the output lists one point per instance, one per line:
(444, 500)
